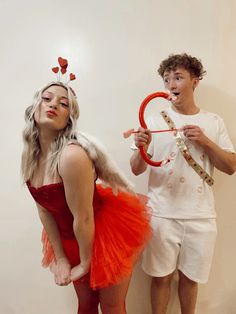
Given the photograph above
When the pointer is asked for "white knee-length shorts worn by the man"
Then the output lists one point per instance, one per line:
(185, 244)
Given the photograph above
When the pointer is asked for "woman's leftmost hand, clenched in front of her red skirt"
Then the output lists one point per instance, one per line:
(61, 270)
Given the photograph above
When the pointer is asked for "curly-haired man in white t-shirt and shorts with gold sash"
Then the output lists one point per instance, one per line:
(180, 192)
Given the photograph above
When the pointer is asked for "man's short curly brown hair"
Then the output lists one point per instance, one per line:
(191, 64)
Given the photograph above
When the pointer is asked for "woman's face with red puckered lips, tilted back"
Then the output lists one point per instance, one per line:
(53, 112)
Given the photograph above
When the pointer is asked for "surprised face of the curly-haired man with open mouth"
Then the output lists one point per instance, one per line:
(181, 84)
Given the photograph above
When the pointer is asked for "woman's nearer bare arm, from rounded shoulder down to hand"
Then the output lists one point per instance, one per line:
(76, 170)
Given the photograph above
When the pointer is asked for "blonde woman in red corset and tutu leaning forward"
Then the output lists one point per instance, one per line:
(92, 235)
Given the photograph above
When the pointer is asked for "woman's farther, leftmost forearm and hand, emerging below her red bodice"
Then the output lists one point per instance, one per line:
(61, 267)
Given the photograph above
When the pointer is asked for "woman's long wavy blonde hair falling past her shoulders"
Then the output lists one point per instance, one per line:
(32, 149)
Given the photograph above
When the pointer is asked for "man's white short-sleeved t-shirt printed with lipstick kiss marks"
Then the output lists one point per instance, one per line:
(175, 190)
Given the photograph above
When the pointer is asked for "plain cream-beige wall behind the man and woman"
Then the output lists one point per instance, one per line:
(114, 46)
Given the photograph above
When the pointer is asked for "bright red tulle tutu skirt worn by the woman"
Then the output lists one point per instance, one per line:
(121, 231)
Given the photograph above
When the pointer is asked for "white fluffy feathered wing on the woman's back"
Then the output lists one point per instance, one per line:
(106, 169)
